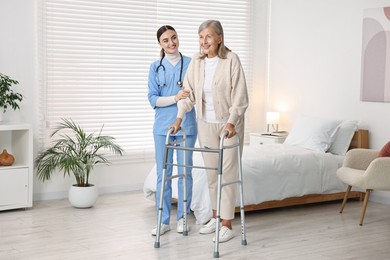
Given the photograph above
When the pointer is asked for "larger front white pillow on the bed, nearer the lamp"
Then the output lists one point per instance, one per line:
(312, 133)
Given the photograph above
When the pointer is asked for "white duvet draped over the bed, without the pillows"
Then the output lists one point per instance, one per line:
(270, 172)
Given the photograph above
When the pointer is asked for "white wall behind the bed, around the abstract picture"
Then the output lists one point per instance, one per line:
(315, 59)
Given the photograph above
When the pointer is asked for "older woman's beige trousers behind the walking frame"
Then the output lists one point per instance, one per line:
(209, 135)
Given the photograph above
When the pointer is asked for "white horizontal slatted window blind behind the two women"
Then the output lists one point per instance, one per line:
(95, 57)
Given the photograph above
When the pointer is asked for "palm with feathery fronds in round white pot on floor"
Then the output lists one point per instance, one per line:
(75, 152)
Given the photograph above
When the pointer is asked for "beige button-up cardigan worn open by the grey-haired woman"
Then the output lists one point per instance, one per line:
(230, 93)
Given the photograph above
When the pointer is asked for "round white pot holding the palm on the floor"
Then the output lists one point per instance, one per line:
(83, 197)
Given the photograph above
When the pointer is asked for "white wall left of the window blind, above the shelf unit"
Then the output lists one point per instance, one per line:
(17, 54)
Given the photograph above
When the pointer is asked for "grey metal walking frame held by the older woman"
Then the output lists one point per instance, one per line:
(175, 145)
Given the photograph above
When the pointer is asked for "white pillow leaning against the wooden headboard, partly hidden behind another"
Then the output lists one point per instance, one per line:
(343, 137)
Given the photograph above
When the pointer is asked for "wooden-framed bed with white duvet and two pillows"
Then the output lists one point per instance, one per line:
(302, 170)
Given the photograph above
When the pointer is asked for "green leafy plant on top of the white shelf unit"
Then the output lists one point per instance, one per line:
(8, 98)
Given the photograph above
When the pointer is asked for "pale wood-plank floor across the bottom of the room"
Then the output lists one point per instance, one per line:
(119, 226)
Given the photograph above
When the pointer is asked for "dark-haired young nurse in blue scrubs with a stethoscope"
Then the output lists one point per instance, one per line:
(164, 91)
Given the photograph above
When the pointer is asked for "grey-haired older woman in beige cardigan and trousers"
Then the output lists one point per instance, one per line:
(218, 90)
